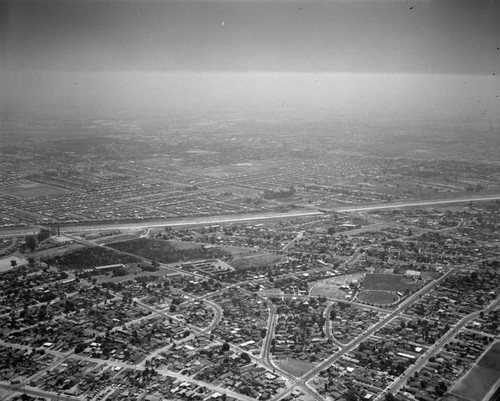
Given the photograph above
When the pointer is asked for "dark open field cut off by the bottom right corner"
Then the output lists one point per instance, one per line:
(479, 380)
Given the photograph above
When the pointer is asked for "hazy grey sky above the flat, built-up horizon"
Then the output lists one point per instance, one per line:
(396, 55)
